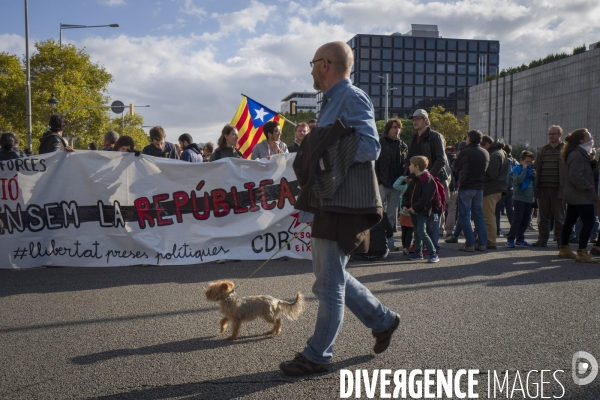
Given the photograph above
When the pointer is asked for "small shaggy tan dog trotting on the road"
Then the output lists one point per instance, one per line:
(237, 309)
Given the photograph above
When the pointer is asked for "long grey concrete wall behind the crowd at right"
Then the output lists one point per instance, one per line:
(512, 108)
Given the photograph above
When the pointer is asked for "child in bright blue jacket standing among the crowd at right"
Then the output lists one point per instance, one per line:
(522, 177)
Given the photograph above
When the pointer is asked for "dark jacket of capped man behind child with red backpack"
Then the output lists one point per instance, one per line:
(432, 147)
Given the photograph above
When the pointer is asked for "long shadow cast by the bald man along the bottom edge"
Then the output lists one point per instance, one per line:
(235, 386)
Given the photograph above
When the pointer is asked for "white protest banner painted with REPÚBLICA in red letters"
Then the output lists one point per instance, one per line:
(102, 208)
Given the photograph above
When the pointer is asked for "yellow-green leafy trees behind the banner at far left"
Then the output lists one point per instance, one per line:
(76, 82)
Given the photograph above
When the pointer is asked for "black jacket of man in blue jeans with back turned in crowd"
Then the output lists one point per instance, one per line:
(470, 167)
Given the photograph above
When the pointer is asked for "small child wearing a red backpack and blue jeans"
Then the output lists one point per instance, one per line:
(418, 202)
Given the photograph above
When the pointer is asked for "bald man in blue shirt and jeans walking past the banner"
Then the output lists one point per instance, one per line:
(334, 287)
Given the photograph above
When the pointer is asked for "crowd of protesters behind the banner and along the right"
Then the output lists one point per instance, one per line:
(478, 181)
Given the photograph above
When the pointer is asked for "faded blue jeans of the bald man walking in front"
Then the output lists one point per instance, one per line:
(333, 287)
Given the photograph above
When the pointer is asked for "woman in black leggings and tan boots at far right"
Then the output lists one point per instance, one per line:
(579, 192)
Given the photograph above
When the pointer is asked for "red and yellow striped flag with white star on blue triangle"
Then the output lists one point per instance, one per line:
(249, 120)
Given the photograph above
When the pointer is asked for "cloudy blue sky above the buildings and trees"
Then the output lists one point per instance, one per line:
(191, 59)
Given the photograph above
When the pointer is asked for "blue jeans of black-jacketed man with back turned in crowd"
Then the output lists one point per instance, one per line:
(471, 201)
